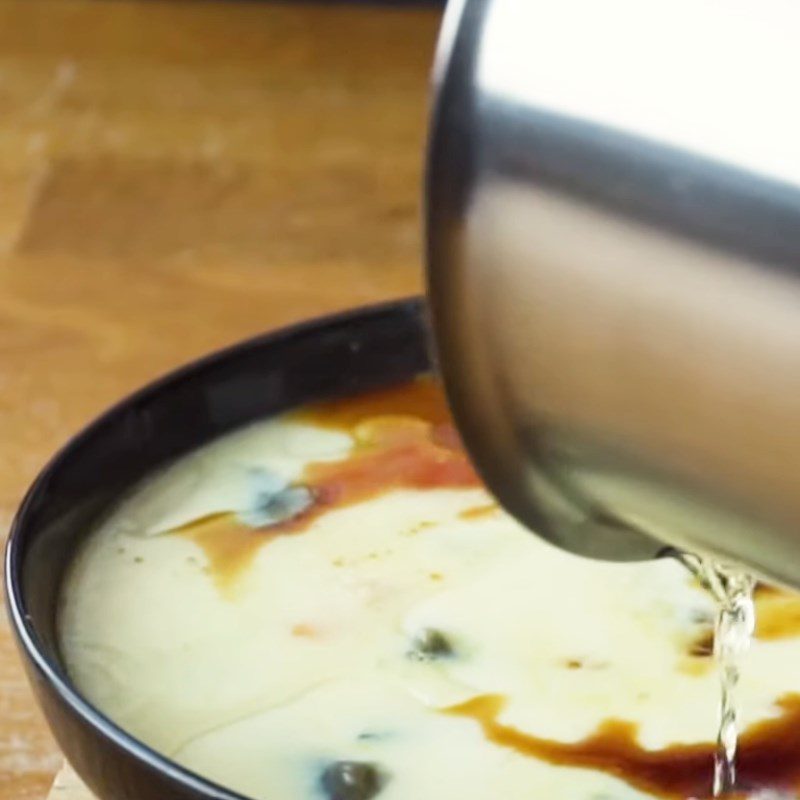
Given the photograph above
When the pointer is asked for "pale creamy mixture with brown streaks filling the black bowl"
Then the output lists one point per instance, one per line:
(328, 605)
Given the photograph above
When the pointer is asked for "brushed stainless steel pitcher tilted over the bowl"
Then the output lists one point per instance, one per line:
(613, 233)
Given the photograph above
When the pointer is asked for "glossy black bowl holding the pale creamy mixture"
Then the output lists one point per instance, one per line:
(330, 357)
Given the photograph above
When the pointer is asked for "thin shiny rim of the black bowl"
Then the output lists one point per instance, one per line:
(22, 626)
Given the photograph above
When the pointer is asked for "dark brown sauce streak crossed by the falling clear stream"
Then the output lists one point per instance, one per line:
(769, 754)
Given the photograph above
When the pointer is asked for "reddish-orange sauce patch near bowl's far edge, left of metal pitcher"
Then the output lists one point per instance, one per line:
(404, 439)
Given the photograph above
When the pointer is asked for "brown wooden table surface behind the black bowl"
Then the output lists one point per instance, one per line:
(174, 177)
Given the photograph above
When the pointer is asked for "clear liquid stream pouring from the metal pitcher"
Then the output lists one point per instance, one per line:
(735, 621)
